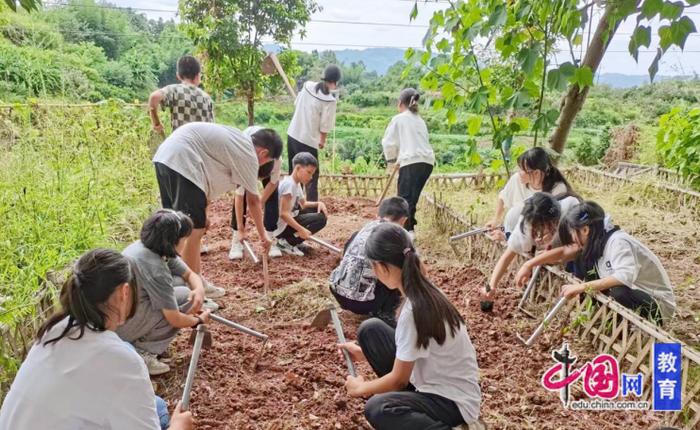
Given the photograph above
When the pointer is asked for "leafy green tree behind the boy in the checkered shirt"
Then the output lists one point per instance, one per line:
(230, 35)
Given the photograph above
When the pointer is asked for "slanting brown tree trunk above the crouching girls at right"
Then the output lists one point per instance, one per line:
(574, 99)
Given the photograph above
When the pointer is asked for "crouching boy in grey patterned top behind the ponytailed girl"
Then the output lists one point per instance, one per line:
(353, 282)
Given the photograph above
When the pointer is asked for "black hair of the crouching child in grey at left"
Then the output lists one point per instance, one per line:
(163, 230)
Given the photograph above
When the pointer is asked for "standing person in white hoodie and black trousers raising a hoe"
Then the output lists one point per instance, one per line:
(313, 119)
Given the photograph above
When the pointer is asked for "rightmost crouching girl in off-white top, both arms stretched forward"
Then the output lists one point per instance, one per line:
(613, 262)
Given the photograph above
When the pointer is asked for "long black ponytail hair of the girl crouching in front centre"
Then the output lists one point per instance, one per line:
(390, 244)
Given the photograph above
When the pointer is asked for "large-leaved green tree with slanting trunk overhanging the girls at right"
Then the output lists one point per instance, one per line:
(470, 40)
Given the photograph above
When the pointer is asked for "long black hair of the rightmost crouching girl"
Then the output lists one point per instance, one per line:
(584, 214)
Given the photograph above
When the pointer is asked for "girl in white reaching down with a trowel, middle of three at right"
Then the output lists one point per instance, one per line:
(536, 229)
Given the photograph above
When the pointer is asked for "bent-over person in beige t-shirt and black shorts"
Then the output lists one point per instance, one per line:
(199, 162)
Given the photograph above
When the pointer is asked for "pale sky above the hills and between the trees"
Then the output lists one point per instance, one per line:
(334, 35)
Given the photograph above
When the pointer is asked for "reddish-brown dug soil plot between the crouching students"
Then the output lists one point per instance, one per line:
(299, 380)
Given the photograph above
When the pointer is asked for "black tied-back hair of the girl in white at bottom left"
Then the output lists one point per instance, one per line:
(95, 276)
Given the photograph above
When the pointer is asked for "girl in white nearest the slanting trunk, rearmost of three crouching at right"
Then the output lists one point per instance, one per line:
(537, 173)
